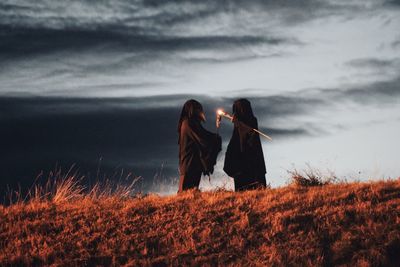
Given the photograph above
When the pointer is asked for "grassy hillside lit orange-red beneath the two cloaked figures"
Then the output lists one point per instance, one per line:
(339, 224)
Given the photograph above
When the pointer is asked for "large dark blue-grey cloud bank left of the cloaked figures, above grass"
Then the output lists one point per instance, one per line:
(38, 133)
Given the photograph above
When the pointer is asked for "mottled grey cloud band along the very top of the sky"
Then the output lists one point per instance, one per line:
(158, 15)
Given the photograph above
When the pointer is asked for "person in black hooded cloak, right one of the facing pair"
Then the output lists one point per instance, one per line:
(244, 159)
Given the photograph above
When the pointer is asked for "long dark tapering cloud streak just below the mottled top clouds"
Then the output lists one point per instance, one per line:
(22, 42)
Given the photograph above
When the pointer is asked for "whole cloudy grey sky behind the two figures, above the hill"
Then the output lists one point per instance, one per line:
(101, 83)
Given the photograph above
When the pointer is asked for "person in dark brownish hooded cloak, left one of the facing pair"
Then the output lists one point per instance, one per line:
(198, 148)
